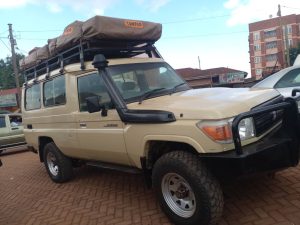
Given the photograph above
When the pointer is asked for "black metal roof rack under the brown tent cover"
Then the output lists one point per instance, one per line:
(86, 51)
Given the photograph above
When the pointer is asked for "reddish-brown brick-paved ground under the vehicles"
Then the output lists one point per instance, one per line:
(28, 196)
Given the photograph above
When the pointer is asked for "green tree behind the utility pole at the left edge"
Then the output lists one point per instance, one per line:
(7, 78)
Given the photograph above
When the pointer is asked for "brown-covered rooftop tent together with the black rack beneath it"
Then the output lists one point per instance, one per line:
(113, 37)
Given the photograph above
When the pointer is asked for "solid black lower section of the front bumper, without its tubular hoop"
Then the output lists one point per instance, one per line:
(275, 151)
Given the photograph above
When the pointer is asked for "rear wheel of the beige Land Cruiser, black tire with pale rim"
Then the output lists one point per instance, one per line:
(58, 166)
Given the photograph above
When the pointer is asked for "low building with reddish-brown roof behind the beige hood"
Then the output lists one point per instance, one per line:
(220, 76)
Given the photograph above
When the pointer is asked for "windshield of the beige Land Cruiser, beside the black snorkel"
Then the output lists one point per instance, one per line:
(137, 80)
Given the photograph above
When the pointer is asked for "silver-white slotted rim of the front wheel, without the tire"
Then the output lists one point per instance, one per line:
(178, 195)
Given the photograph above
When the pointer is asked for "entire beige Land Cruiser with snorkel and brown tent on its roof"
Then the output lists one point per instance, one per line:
(111, 101)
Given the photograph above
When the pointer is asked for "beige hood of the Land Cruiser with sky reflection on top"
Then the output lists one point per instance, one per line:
(208, 103)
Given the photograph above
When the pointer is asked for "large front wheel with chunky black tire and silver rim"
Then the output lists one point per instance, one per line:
(197, 191)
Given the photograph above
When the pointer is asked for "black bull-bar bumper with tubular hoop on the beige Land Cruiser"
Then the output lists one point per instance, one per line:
(277, 150)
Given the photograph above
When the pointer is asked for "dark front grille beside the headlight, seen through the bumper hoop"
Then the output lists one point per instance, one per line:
(263, 122)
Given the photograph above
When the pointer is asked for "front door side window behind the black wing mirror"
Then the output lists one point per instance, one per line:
(92, 85)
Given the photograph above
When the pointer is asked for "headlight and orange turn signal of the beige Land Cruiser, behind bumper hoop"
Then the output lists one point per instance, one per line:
(220, 131)
